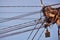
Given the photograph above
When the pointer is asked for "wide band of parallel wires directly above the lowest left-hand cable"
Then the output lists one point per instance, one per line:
(20, 26)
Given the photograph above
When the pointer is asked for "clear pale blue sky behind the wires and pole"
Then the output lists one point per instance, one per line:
(24, 36)
